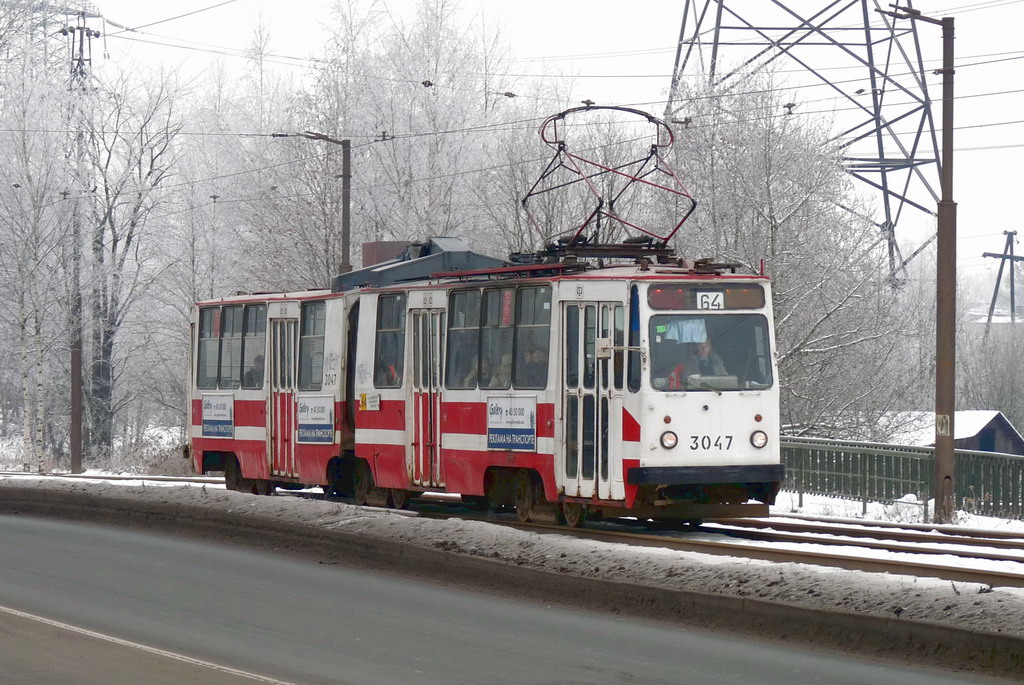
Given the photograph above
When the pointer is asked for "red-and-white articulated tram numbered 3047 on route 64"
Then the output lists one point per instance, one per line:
(646, 390)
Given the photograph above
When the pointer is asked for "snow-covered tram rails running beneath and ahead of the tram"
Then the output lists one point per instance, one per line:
(953, 553)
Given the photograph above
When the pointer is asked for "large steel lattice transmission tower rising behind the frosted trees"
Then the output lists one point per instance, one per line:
(871, 65)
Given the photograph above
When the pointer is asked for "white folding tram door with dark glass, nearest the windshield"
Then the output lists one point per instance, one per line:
(586, 398)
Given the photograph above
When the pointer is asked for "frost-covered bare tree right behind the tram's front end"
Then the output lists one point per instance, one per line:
(772, 188)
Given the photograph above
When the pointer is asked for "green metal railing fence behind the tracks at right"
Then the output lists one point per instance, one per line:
(986, 483)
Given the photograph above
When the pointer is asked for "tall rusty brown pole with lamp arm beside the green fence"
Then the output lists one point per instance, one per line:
(946, 282)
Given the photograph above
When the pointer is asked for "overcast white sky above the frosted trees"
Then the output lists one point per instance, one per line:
(636, 42)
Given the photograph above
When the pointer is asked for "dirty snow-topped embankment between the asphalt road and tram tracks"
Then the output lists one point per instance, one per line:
(878, 613)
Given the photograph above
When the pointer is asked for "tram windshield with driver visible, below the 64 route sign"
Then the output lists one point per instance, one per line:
(710, 353)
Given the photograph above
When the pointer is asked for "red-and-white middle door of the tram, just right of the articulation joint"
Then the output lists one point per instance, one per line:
(429, 353)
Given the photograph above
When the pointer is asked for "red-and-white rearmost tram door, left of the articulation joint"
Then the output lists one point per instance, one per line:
(283, 411)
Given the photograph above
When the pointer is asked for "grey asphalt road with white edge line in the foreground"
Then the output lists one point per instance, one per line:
(297, 621)
